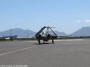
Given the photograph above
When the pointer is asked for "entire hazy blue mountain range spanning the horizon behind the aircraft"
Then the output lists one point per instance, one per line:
(84, 31)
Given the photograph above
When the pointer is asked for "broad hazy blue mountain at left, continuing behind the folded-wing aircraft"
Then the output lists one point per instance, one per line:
(21, 33)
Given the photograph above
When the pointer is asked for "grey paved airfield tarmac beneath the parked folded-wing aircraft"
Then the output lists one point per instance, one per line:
(64, 53)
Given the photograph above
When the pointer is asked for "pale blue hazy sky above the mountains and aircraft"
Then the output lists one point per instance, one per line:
(65, 15)
